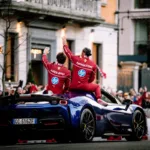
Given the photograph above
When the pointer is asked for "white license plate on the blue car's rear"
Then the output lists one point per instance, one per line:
(24, 121)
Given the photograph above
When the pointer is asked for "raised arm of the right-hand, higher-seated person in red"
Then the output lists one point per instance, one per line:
(66, 49)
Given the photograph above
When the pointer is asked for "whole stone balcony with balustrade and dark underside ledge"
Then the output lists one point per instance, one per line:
(84, 12)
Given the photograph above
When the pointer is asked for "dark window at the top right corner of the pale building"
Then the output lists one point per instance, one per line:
(142, 3)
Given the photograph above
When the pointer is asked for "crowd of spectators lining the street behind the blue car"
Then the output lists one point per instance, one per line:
(142, 97)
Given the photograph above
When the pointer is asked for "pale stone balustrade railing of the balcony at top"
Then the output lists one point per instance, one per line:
(87, 8)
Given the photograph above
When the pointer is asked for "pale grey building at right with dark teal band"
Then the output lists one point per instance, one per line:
(134, 43)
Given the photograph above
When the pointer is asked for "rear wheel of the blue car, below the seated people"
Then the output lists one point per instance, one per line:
(87, 126)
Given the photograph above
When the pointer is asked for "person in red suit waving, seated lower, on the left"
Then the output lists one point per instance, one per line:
(58, 75)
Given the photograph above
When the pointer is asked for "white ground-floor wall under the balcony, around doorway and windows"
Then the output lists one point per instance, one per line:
(82, 37)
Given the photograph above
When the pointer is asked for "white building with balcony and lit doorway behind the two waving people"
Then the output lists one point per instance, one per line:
(36, 24)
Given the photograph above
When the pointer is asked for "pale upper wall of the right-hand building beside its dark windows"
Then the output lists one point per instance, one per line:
(126, 22)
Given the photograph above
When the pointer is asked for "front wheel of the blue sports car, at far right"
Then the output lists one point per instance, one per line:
(138, 126)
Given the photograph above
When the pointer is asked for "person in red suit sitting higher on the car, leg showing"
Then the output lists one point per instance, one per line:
(84, 71)
